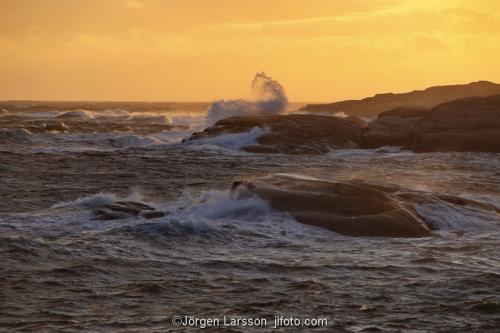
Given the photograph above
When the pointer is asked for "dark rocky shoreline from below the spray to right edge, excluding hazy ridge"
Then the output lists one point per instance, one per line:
(468, 124)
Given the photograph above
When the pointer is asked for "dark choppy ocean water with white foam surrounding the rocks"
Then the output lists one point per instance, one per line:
(213, 255)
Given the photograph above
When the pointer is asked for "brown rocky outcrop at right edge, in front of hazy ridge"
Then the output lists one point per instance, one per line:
(470, 124)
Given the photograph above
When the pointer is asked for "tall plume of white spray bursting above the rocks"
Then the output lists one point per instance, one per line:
(268, 97)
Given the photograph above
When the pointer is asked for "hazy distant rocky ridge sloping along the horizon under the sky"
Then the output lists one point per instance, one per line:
(428, 98)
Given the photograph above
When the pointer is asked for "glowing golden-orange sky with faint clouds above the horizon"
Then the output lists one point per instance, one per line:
(200, 50)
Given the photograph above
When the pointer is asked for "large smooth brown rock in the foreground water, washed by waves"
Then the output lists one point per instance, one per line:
(350, 208)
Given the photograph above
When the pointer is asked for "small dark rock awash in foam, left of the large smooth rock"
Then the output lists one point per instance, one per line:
(125, 209)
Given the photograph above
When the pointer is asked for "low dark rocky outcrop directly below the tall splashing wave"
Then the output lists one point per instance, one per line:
(292, 134)
